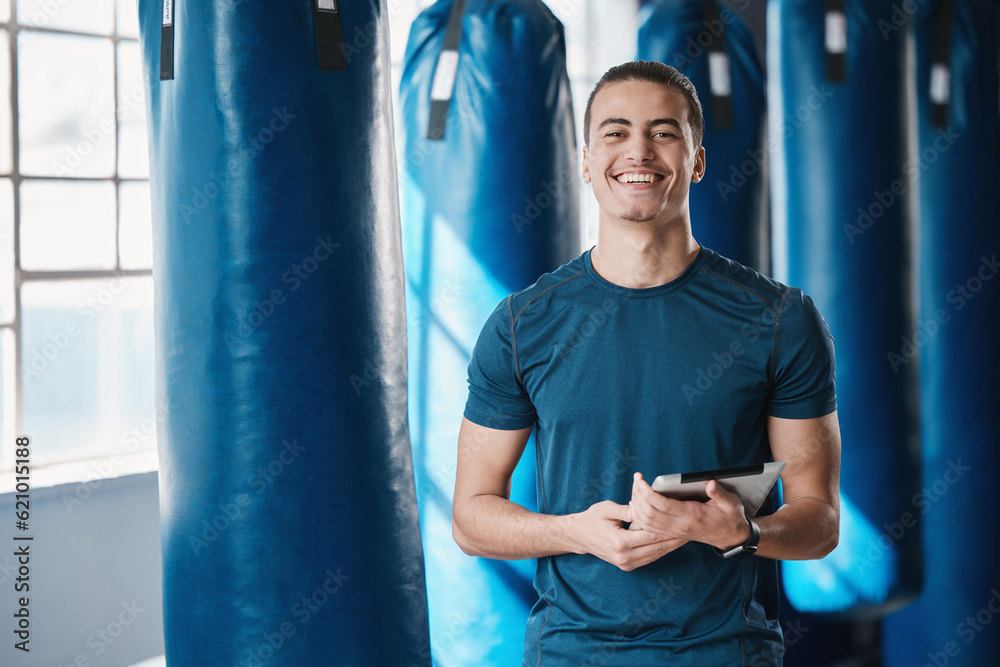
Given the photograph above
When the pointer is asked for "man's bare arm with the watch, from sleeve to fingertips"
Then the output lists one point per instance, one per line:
(806, 526)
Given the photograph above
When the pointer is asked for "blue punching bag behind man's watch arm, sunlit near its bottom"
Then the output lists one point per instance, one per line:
(837, 96)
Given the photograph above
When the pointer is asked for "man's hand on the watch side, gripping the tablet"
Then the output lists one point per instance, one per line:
(720, 521)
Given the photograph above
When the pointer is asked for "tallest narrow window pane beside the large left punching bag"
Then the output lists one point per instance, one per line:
(133, 158)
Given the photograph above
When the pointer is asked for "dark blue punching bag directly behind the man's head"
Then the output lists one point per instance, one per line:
(712, 46)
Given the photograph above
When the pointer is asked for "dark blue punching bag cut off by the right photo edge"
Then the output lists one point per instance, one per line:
(958, 85)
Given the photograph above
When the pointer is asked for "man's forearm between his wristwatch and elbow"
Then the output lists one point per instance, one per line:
(803, 528)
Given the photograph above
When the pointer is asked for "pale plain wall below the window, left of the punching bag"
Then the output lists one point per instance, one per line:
(95, 570)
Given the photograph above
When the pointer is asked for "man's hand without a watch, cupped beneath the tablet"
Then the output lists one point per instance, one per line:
(598, 531)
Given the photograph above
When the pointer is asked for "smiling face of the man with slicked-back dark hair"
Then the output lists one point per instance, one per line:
(641, 159)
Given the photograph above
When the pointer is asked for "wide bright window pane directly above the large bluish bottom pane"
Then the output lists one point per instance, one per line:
(67, 225)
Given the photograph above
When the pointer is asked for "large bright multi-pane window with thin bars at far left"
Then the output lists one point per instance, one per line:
(76, 323)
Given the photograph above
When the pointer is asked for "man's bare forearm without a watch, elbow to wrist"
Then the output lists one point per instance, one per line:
(494, 527)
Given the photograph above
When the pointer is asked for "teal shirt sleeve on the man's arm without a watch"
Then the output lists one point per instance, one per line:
(496, 397)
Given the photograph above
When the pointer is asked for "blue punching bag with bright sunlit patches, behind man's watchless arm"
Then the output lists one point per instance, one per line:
(490, 201)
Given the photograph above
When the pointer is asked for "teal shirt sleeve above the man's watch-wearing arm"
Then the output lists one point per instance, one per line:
(804, 375)
